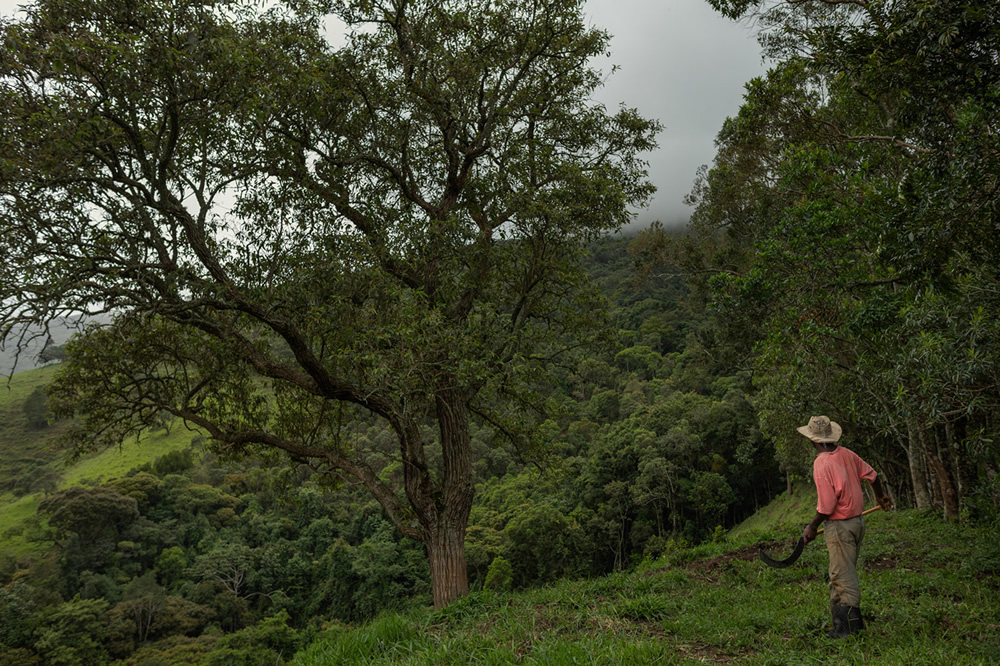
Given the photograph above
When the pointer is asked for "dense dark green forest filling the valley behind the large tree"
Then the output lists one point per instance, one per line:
(654, 446)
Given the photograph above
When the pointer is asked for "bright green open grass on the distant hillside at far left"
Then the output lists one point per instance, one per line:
(19, 442)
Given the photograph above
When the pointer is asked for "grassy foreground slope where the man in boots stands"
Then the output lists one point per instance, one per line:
(930, 595)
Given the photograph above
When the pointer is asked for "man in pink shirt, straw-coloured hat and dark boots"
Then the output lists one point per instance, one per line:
(837, 473)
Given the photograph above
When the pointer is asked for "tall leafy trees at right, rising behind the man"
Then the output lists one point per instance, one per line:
(850, 224)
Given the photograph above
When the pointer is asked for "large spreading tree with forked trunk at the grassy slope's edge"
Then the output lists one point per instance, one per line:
(290, 236)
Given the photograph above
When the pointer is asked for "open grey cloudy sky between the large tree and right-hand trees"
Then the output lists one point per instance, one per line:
(680, 63)
